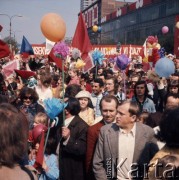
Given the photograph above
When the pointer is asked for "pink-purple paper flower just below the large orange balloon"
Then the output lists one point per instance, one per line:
(61, 50)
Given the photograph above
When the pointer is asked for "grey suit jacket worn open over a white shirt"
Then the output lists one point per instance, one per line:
(106, 153)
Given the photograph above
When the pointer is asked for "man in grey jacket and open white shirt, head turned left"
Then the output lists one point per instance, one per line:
(124, 148)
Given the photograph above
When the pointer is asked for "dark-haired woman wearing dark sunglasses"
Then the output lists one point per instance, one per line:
(29, 104)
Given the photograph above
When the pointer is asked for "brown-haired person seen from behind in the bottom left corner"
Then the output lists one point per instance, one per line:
(13, 146)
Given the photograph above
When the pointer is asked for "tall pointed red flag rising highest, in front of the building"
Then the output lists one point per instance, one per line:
(82, 42)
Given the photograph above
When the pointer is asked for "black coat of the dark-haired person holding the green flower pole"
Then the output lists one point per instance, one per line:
(72, 155)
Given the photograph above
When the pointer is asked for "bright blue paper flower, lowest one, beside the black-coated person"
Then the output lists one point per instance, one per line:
(53, 107)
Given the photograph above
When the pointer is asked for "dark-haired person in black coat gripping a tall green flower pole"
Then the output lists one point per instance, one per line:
(73, 144)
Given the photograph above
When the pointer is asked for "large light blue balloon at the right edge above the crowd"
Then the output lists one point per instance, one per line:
(164, 67)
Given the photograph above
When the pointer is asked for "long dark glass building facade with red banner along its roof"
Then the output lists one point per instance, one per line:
(133, 23)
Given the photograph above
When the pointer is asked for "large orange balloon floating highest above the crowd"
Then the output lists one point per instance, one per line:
(53, 27)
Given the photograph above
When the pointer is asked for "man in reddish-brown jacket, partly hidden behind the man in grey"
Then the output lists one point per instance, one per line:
(108, 107)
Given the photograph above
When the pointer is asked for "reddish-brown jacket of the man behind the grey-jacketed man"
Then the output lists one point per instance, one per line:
(92, 137)
